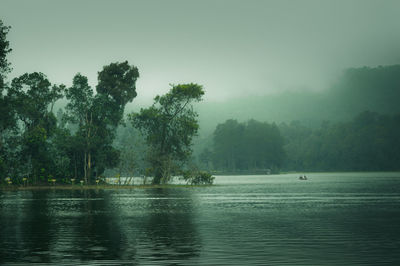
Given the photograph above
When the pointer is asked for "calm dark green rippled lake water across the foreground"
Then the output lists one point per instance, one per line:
(330, 219)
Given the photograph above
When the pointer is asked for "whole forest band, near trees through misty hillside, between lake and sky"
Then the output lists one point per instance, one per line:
(354, 127)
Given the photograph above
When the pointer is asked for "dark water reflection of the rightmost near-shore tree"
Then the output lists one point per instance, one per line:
(169, 226)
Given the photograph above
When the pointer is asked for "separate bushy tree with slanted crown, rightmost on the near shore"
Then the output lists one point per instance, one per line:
(169, 126)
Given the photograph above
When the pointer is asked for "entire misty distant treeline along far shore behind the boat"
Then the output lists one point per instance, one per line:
(370, 142)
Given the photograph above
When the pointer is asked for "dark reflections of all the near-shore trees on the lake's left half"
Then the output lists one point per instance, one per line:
(90, 225)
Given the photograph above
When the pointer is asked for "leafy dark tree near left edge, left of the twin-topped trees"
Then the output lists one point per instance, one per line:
(32, 95)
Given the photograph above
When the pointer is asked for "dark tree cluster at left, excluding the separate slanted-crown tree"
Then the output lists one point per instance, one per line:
(36, 145)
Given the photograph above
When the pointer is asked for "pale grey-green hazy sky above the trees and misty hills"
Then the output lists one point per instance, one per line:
(233, 48)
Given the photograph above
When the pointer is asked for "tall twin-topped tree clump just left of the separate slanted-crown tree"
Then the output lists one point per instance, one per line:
(97, 116)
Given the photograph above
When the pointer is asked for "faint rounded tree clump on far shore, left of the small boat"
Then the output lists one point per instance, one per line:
(247, 146)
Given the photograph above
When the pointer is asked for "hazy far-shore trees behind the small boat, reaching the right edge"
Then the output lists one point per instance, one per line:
(367, 143)
